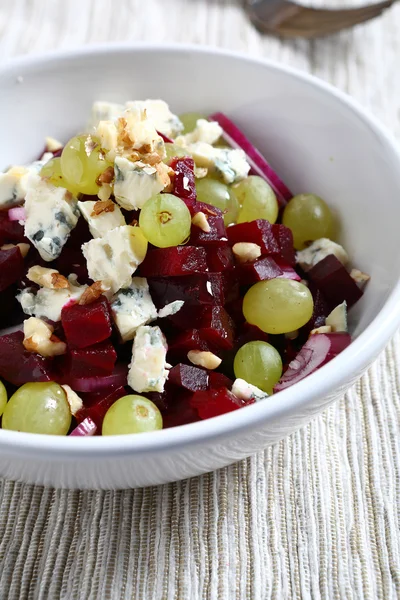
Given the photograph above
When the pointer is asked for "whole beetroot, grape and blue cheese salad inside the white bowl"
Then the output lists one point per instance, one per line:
(156, 271)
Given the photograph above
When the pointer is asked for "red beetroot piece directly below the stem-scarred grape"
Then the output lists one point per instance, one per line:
(175, 261)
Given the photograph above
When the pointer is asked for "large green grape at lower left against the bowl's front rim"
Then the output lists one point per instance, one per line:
(38, 408)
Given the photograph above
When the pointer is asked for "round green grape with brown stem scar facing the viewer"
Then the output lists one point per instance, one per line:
(165, 220)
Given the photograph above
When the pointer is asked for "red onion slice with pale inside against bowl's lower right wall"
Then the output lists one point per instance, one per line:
(316, 352)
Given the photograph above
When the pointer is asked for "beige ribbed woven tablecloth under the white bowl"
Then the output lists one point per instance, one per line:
(318, 515)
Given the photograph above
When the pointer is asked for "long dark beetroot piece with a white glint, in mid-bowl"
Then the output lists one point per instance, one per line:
(202, 288)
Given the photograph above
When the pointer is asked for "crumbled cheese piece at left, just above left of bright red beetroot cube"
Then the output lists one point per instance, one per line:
(48, 303)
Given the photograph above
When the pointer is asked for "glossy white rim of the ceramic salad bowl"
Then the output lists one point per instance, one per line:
(324, 381)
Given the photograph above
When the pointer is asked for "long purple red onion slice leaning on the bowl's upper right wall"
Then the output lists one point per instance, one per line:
(259, 165)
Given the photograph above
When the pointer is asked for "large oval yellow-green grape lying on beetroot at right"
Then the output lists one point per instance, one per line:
(278, 305)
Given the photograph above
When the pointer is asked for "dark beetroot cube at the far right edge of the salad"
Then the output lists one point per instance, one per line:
(334, 281)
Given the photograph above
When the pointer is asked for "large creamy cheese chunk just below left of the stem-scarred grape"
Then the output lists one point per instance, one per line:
(115, 257)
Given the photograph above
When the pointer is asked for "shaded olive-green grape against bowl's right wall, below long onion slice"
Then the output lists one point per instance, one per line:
(309, 218)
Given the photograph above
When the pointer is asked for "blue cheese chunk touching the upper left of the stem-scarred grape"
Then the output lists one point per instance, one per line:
(135, 182)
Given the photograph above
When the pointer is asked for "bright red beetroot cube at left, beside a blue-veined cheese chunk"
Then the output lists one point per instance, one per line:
(88, 324)
